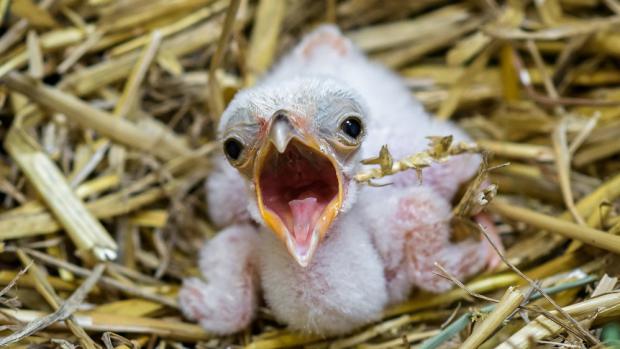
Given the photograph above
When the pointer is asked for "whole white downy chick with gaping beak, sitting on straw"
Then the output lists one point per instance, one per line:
(326, 254)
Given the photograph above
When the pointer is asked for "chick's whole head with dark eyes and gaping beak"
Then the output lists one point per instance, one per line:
(297, 142)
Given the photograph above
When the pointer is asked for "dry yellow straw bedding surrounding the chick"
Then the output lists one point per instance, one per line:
(108, 110)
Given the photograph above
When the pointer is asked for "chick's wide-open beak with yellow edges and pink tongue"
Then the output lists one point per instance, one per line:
(298, 188)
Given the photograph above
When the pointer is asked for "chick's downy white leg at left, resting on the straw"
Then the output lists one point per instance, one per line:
(226, 301)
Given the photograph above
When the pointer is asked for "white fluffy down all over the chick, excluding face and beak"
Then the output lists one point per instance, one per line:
(383, 243)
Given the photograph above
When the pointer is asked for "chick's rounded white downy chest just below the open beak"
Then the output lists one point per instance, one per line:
(344, 283)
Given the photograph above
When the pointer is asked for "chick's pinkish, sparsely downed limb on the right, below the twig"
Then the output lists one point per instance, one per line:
(412, 233)
